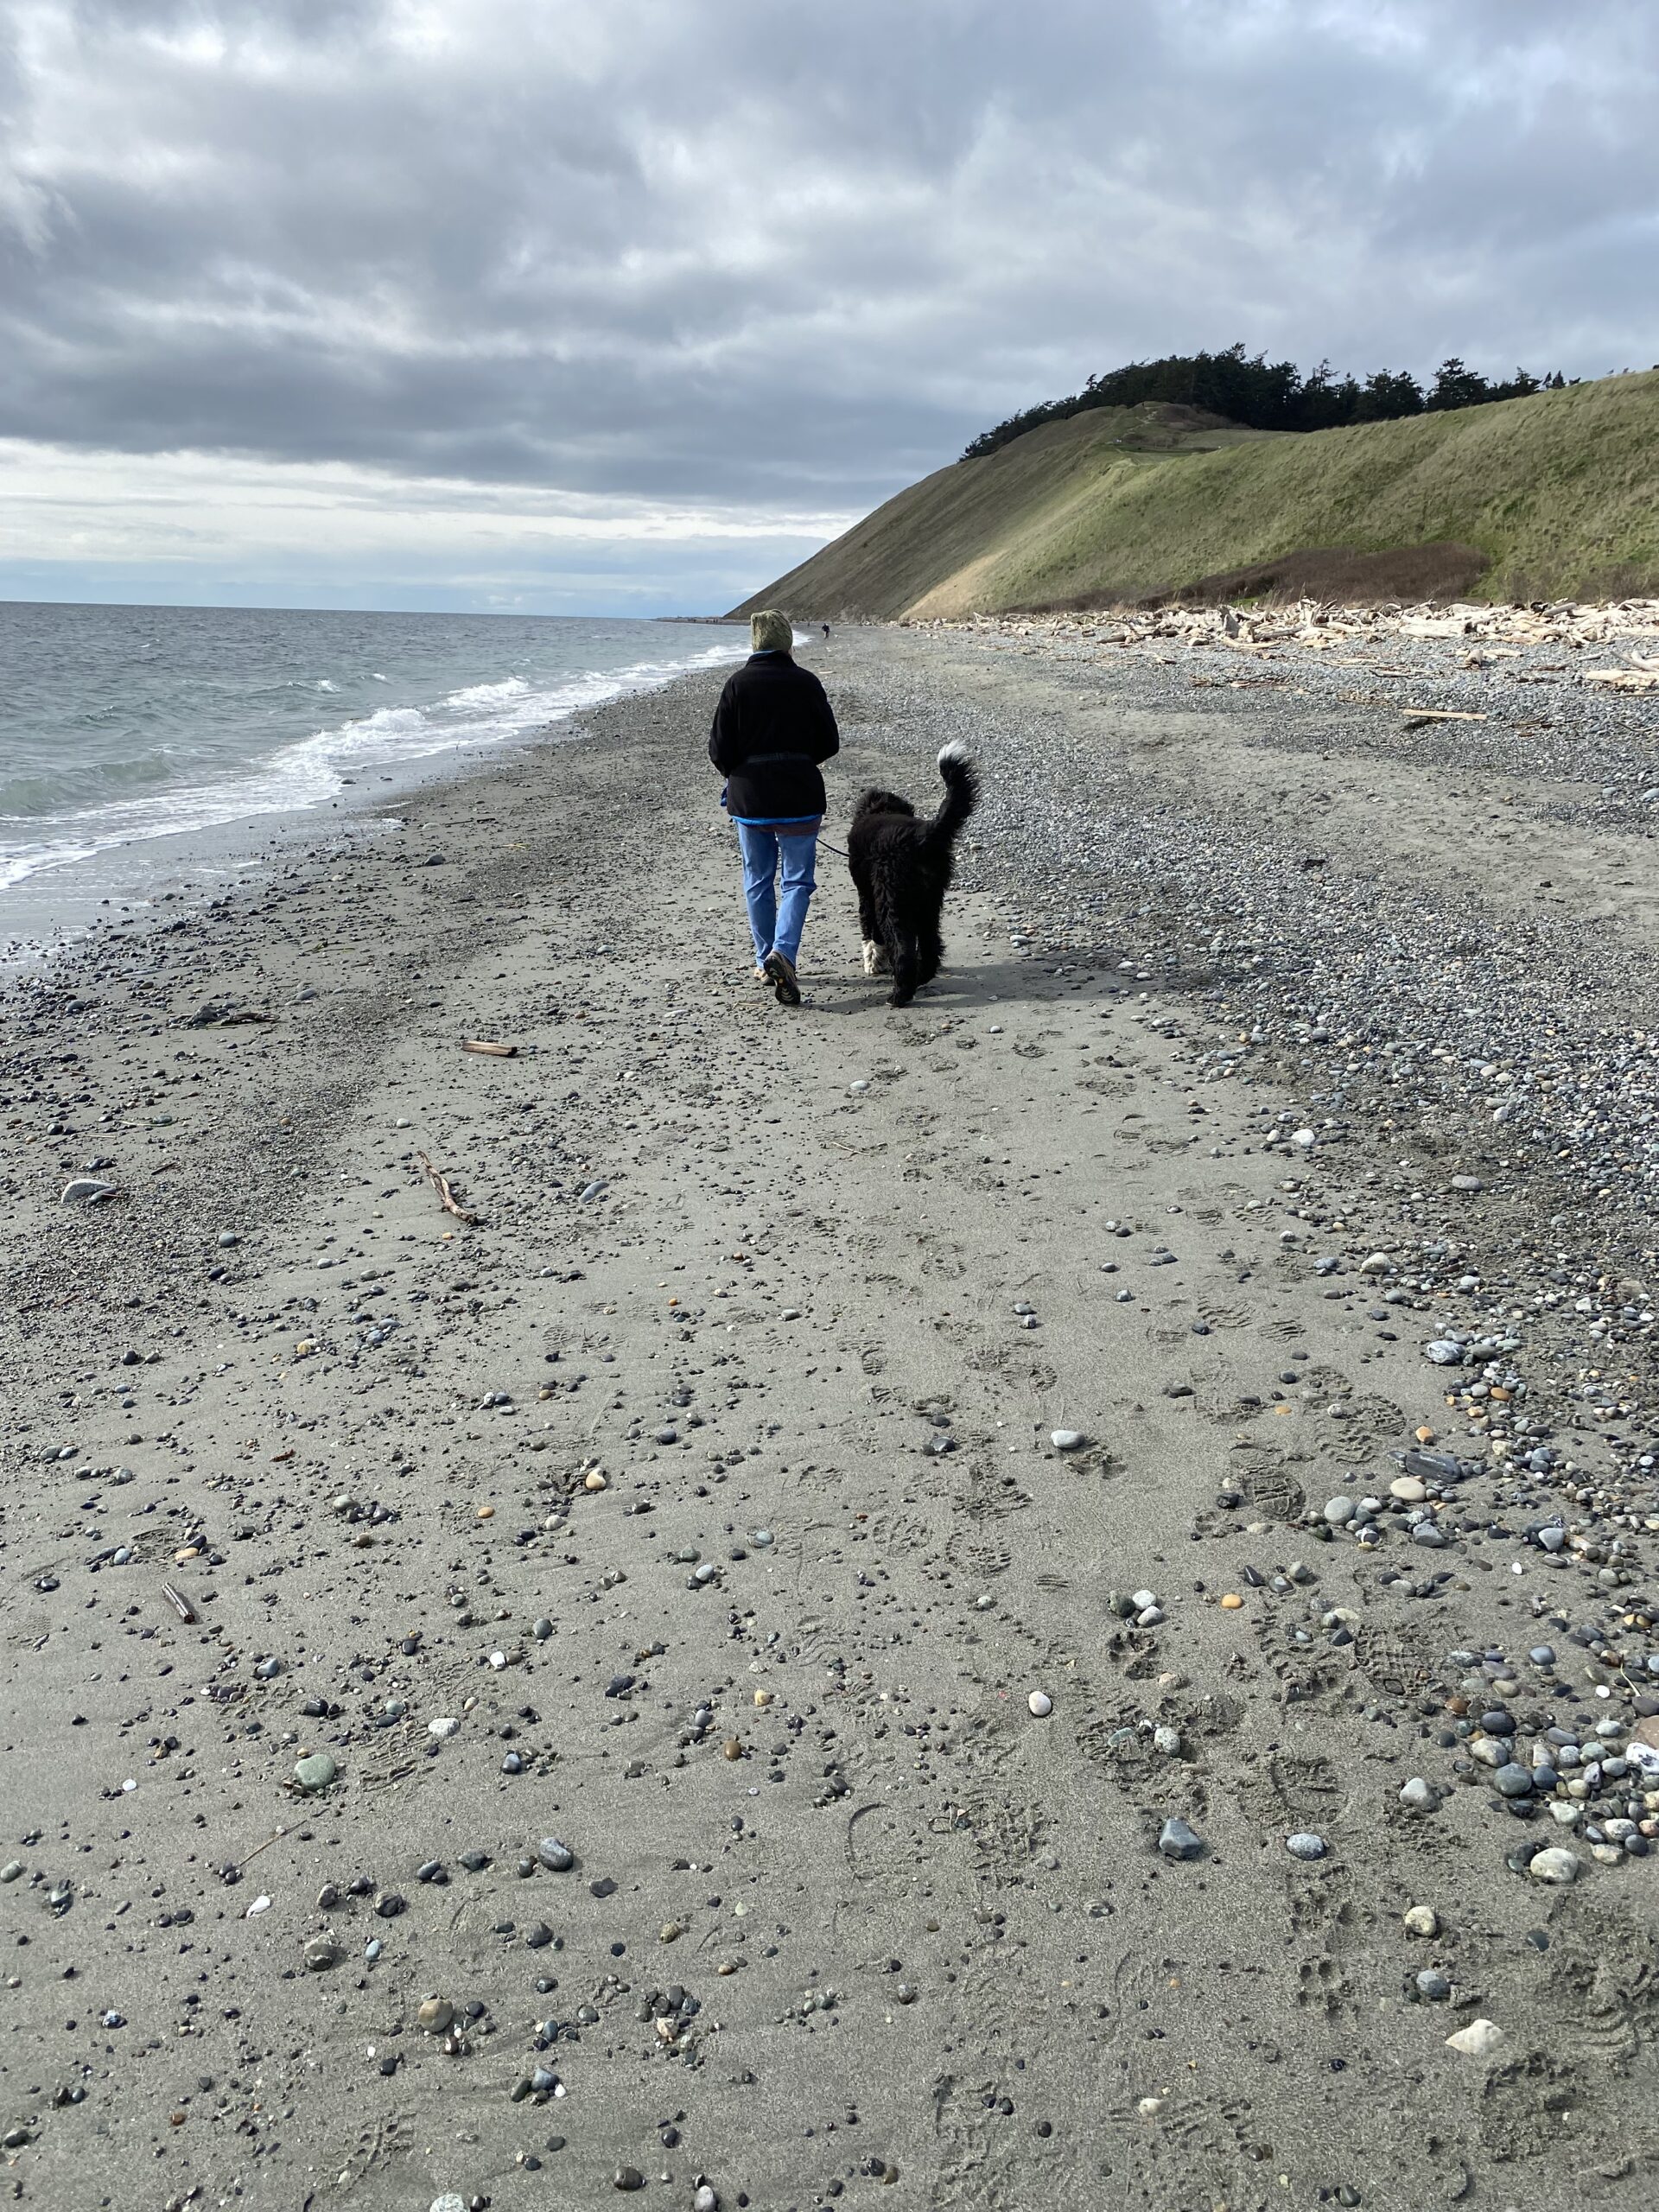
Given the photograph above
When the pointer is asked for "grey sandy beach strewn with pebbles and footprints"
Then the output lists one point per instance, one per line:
(1016, 1605)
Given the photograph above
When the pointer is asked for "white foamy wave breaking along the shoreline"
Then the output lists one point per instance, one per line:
(311, 771)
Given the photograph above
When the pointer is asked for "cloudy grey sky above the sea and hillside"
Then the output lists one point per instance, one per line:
(625, 306)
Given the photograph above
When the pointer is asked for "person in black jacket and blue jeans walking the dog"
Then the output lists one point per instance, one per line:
(773, 729)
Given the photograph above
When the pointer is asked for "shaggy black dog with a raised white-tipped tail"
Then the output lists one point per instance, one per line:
(904, 868)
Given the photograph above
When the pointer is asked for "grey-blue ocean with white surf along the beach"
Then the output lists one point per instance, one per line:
(143, 747)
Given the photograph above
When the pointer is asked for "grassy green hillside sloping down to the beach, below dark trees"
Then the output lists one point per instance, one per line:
(1545, 497)
